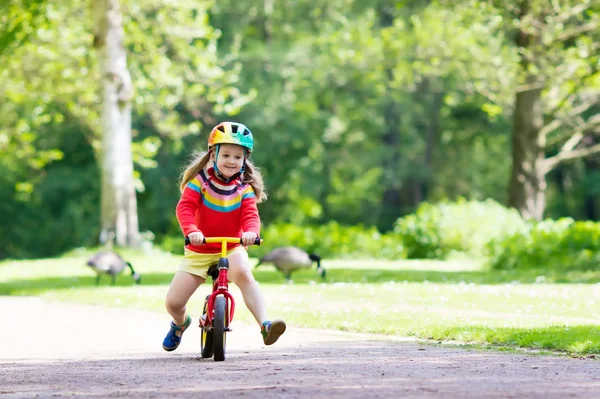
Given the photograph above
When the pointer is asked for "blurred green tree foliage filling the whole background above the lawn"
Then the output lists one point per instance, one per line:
(362, 110)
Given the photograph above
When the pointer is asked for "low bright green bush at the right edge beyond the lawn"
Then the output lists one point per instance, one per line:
(561, 245)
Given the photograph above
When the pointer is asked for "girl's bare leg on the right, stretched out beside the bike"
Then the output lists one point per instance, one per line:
(241, 275)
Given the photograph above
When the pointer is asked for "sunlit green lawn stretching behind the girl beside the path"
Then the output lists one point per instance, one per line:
(442, 301)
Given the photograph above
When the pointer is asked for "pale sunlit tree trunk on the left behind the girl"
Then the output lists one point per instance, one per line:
(119, 219)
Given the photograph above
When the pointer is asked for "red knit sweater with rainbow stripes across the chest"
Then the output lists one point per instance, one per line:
(217, 209)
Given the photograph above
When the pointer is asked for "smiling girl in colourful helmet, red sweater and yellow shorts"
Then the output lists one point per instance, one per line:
(219, 201)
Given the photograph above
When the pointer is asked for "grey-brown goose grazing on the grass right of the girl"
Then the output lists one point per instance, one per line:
(289, 259)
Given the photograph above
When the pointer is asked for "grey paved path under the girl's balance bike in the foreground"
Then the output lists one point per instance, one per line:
(51, 350)
